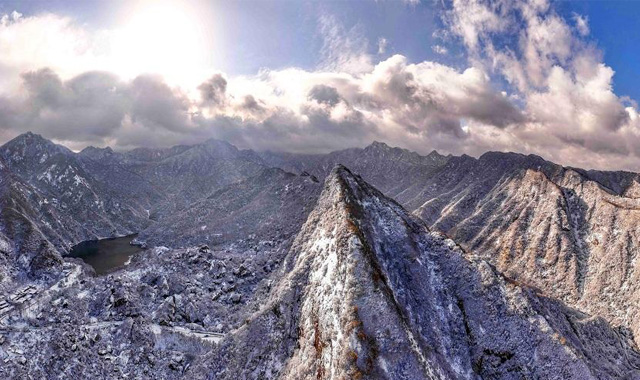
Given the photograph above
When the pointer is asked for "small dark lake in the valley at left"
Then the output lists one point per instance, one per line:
(106, 255)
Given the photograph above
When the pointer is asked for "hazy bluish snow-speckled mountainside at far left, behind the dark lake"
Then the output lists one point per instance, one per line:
(55, 198)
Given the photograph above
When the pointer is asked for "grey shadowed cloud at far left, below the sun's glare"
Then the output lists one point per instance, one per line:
(93, 107)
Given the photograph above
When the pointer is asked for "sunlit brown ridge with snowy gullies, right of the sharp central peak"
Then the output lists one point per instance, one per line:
(552, 227)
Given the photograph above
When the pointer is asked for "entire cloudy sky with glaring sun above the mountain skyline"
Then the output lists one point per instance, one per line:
(460, 76)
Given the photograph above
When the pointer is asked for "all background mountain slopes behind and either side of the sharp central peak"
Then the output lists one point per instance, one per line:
(569, 232)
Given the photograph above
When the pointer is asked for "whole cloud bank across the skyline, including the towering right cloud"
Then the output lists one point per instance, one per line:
(543, 89)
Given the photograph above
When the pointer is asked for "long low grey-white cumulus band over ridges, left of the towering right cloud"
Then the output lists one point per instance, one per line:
(420, 105)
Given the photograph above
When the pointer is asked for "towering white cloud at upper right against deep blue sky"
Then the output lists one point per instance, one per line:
(572, 113)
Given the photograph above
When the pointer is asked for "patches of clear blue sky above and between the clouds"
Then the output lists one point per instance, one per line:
(277, 34)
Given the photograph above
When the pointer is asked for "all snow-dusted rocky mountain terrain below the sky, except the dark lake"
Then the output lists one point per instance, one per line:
(269, 265)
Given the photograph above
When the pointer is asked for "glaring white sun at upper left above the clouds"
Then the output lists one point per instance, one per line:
(161, 37)
